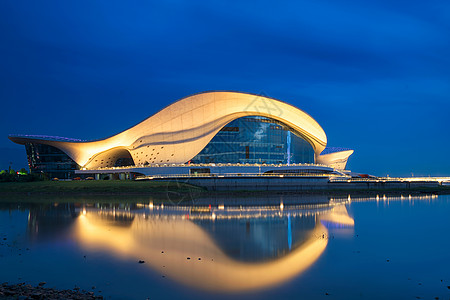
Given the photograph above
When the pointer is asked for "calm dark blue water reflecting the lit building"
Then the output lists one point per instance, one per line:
(278, 248)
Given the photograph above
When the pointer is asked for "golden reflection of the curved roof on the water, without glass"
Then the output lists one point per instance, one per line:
(144, 237)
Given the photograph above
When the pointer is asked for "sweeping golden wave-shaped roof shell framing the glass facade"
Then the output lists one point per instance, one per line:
(181, 130)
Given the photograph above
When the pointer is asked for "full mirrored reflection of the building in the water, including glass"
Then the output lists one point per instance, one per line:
(216, 248)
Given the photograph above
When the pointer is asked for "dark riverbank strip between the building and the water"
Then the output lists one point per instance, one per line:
(163, 190)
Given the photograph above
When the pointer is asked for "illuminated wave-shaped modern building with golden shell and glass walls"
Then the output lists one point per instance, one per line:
(208, 128)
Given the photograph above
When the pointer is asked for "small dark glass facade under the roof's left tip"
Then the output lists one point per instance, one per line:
(48, 160)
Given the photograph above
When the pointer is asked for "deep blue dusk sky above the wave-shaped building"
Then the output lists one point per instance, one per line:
(375, 75)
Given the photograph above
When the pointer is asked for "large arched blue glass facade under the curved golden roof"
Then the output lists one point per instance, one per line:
(256, 140)
